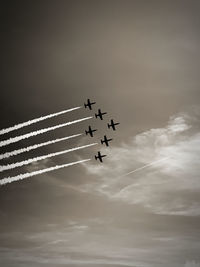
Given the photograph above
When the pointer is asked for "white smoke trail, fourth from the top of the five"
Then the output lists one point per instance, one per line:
(28, 161)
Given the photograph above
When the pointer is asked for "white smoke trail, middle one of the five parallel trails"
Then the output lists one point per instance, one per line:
(29, 148)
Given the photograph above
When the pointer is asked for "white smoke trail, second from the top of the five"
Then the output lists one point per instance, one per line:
(20, 137)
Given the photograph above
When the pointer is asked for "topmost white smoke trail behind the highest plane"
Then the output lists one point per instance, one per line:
(27, 123)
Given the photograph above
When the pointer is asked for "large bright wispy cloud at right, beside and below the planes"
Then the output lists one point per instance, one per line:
(168, 187)
